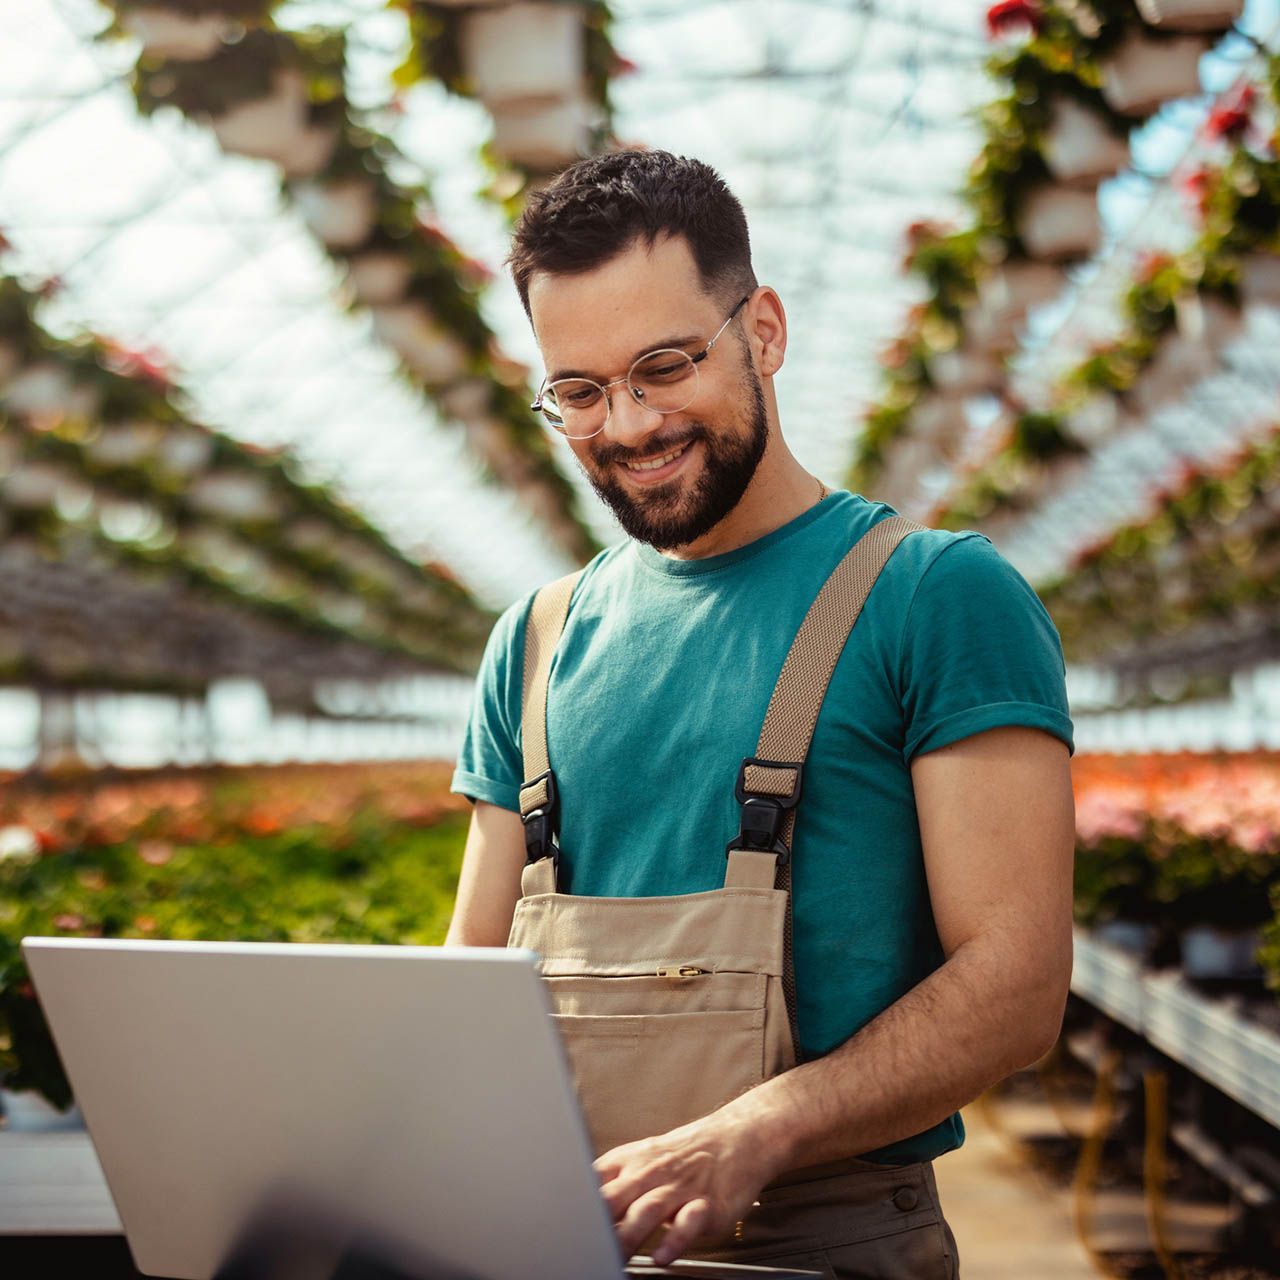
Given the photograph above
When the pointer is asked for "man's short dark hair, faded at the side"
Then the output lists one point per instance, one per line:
(600, 207)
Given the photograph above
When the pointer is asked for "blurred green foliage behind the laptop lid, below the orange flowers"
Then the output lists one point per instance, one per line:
(374, 881)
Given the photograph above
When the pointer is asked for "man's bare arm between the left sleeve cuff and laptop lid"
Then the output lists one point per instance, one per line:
(490, 884)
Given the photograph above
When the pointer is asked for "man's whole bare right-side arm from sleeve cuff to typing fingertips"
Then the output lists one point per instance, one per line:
(998, 824)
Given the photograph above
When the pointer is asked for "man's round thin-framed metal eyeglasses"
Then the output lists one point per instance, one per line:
(664, 381)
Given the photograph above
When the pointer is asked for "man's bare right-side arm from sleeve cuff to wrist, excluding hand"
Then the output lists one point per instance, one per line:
(998, 822)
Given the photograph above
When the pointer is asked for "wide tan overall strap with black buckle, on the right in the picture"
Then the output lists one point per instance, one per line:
(769, 784)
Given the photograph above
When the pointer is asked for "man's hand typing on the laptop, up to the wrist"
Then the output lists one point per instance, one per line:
(697, 1181)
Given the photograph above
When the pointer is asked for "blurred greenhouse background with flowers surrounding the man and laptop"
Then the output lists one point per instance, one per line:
(268, 476)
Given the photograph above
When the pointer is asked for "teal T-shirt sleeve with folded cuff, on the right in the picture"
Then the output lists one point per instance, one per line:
(979, 651)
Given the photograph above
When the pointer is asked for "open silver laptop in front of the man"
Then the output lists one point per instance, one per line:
(423, 1092)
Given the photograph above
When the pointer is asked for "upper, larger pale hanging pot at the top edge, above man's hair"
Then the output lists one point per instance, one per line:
(524, 52)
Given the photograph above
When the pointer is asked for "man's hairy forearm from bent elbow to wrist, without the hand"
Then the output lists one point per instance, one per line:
(971, 1023)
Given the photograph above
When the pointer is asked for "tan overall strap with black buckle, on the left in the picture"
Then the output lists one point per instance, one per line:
(540, 801)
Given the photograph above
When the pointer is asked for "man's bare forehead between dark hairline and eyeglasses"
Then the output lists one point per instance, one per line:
(600, 321)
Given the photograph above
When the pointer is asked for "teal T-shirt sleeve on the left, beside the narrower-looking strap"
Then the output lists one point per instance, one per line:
(490, 765)
